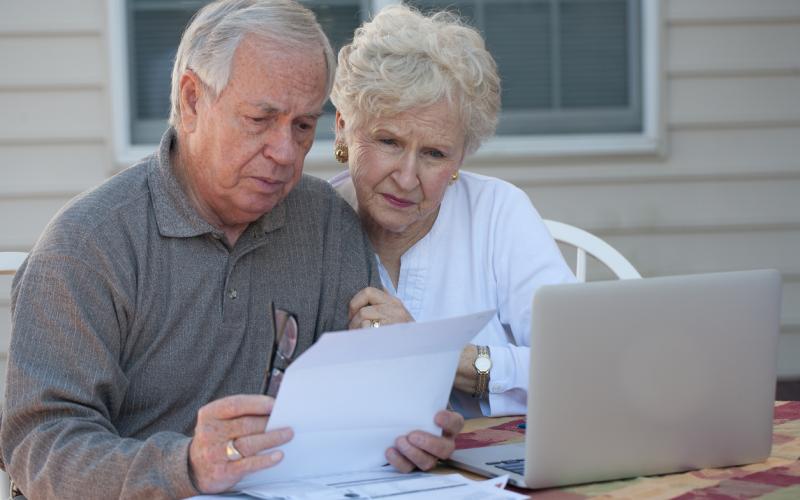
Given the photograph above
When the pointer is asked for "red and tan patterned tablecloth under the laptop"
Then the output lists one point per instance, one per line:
(776, 478)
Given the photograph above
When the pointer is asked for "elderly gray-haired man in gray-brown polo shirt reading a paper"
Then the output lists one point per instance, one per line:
(143, 318)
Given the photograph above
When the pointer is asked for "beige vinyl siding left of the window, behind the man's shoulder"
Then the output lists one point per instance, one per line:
(55, 118)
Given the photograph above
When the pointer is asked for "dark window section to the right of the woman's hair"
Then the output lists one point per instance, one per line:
(567, 66)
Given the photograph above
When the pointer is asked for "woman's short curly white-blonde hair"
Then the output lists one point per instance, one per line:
(402, 59)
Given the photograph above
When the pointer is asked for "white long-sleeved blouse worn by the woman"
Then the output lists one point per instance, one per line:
(487, 249)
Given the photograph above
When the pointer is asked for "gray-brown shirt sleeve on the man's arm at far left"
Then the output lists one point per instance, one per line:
(64, 386)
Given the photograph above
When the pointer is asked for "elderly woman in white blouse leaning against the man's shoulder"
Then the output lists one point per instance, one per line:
(415, 95)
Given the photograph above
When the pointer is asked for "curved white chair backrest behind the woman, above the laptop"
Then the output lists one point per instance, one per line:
(585, 242)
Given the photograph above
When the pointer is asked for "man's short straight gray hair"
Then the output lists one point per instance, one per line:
(209, 42)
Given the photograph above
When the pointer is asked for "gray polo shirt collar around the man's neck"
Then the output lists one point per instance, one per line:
(175, 215)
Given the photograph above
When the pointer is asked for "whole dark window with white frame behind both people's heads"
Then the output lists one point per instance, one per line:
(570, 68)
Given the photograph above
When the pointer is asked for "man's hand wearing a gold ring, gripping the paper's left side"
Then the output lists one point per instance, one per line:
(240, 418)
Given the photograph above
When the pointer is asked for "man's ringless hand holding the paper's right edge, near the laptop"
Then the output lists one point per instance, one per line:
(423, 450)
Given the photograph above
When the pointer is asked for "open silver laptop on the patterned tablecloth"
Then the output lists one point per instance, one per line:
(641, 377)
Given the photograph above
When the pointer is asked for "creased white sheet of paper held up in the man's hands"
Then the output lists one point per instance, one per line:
(352, 393)
